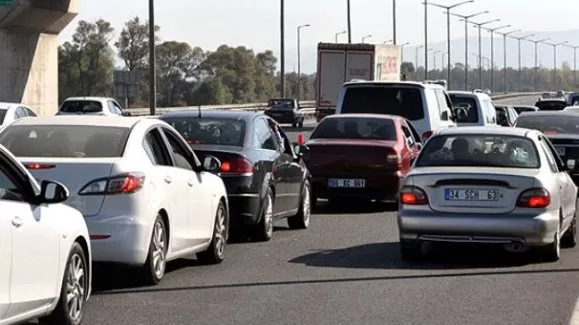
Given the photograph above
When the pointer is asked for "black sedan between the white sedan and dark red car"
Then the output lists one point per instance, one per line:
(265, 179)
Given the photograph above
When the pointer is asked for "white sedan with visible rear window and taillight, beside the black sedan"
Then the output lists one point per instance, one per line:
(144, 194)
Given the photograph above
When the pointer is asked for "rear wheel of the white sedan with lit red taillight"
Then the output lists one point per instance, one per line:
(156, 263)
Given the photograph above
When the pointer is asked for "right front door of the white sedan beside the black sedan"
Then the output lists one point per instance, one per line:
(191, 199)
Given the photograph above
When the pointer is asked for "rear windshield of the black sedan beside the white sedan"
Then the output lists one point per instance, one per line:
(215, 131)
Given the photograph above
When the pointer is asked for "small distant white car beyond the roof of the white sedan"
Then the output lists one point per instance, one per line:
(91, 106)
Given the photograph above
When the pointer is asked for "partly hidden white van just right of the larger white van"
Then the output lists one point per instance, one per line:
(473, 109)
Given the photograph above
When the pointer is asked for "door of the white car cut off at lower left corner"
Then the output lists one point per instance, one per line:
(35, 239)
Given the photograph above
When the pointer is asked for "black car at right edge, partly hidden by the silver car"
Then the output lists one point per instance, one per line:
(562, 129)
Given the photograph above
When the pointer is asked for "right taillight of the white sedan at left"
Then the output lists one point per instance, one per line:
(120, 184)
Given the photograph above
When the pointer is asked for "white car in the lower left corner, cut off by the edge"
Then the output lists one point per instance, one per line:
(44, 249)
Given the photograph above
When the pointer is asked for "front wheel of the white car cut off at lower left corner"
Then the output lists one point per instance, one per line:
(62, 314)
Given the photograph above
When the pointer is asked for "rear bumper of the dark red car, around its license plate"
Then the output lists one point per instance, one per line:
(377, 187)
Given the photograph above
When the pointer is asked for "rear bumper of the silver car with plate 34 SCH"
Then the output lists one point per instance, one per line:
(533, 230)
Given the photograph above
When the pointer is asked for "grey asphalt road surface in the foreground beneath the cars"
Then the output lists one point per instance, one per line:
(345, 269)
